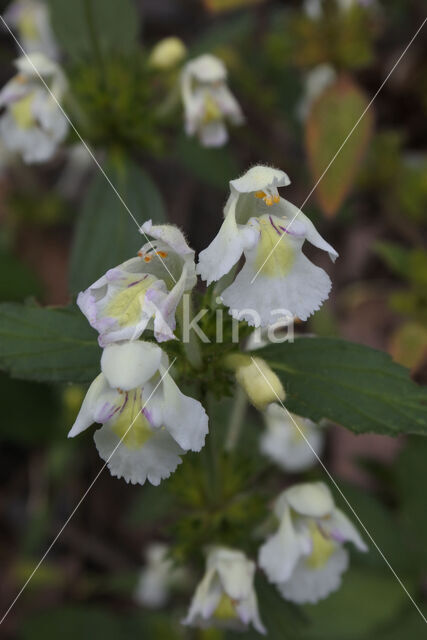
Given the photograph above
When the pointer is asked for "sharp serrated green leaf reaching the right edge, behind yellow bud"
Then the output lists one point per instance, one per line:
(356, 386)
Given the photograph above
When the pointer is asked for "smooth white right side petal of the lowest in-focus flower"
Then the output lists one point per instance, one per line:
(183, 417)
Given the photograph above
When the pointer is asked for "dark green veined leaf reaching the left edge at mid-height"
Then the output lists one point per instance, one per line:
(47, 345)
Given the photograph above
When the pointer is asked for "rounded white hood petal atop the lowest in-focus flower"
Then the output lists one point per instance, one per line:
(129, 365)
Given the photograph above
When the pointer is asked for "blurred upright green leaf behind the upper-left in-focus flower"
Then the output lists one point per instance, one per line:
(106, 234)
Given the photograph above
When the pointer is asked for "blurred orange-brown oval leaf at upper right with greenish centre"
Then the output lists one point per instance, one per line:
(330, 121)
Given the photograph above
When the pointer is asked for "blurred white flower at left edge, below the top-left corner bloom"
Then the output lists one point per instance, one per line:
(33, 124)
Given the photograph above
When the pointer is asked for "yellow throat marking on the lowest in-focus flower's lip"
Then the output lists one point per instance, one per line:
(140, 431)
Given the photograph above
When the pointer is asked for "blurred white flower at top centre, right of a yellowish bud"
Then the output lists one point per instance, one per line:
(208, 103)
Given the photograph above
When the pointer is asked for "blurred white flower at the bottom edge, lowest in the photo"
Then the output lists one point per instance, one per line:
(226, 596)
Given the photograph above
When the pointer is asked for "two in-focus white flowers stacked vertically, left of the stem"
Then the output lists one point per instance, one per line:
(148, 423)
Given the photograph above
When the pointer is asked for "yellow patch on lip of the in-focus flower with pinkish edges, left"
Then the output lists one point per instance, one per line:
(126, 305)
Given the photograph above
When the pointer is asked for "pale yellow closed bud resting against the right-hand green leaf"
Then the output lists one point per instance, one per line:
(258, 380)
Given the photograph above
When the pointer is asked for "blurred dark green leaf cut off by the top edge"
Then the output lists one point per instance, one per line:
(95, 28)
